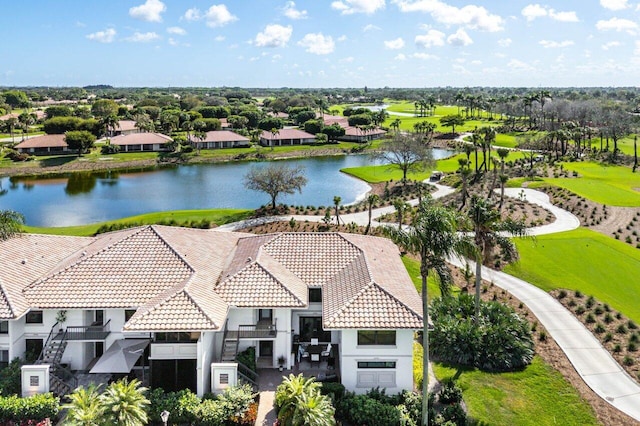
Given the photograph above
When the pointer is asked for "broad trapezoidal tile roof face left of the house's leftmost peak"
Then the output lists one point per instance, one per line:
(126, 273)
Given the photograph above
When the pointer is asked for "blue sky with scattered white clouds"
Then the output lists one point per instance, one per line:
(318, 43)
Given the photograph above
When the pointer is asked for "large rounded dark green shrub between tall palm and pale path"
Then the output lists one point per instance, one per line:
(501, 341)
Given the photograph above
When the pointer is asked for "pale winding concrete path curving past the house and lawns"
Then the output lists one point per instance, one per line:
(599, 370)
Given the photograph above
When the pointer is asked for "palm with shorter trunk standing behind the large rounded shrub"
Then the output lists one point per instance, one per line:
(491, 232)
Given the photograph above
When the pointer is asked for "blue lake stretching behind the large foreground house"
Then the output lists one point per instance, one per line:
(82, 198)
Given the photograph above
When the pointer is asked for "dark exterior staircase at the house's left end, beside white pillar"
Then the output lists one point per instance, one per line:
(61, 380)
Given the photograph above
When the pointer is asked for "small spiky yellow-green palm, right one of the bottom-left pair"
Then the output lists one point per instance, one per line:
(125, 403)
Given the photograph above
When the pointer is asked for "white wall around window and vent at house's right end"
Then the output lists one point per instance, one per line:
(401, 354)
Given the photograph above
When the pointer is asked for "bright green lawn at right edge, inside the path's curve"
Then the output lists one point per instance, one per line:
(583, 260)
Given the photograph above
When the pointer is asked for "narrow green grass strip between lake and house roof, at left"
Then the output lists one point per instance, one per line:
(218, 216)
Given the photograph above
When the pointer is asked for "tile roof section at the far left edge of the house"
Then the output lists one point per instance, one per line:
(26, 258)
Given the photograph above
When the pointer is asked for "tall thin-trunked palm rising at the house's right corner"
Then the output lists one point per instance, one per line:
(433, 236)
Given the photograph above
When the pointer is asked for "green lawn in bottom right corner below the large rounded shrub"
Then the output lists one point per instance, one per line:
(537, 395)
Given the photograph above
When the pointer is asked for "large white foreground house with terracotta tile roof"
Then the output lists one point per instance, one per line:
(190, 299)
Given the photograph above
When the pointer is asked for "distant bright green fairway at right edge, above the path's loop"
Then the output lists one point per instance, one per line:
(605, 184)
